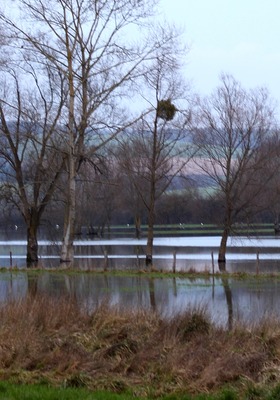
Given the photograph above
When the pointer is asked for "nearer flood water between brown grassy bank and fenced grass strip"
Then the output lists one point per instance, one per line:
(226, 299)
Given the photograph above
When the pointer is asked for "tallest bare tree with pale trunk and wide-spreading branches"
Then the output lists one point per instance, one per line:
(93, 45)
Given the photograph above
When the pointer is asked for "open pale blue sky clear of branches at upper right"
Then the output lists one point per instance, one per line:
(237, 37)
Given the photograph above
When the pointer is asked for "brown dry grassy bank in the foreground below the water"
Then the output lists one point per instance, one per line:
(57, 344)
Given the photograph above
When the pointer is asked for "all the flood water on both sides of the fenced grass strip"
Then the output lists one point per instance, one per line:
(227, 299)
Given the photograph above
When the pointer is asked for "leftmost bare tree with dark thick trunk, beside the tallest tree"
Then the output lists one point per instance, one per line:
(30, 166)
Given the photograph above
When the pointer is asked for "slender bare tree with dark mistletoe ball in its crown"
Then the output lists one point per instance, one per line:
(157, 150)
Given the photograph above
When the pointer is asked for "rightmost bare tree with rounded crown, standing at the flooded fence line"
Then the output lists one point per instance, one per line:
(231, 128)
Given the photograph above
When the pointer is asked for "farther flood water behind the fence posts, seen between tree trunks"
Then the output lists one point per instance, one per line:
(185, 253)
